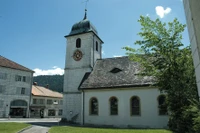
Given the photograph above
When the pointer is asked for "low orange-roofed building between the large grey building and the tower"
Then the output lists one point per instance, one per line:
(45, 102)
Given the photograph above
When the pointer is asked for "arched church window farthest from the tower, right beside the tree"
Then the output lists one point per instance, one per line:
(162, 107)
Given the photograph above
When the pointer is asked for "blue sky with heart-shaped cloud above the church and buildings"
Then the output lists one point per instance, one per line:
(32, 31)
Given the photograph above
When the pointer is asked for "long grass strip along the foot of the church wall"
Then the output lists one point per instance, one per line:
(68, 129)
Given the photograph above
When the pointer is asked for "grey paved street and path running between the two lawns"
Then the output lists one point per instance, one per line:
(39, 125)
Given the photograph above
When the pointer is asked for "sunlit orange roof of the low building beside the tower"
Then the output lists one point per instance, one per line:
(42, 91)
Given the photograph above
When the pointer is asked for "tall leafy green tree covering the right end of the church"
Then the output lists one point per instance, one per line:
(163, 56)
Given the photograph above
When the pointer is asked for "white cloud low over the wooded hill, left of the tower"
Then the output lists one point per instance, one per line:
(53, 71)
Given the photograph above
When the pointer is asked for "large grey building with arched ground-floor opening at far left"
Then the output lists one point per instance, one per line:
(15, 89)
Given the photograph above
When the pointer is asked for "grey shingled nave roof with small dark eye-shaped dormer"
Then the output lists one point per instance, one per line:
(115, 73)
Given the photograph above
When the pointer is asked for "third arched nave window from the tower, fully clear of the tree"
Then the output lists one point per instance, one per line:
(135, 106)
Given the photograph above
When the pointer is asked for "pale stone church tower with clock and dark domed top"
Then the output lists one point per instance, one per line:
(83, 49)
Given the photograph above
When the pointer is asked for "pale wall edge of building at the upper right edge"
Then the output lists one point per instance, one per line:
(192, 9)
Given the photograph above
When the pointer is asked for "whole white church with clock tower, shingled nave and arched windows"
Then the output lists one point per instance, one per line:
(107, 92)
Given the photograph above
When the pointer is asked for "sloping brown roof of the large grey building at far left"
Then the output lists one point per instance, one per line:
(4, 62)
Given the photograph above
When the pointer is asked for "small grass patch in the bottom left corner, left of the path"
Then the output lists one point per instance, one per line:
(11, 127)
